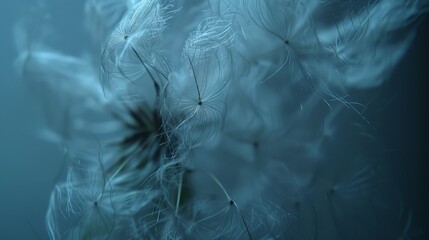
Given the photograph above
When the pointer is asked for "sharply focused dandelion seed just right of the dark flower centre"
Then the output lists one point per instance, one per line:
(196, 95)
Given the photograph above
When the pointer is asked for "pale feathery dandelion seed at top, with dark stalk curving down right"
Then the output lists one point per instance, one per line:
(131, 49)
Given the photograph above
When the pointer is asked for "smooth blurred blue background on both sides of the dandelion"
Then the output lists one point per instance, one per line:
(29, 166)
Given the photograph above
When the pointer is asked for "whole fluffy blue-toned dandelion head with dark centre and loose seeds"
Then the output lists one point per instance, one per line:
(221, 119)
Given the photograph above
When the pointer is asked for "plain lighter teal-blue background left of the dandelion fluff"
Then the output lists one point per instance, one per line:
(29, 166)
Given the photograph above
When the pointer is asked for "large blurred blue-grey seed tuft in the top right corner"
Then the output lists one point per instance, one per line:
(369, 43)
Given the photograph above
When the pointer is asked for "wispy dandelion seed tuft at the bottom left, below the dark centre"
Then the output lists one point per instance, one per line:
(82, 208)
